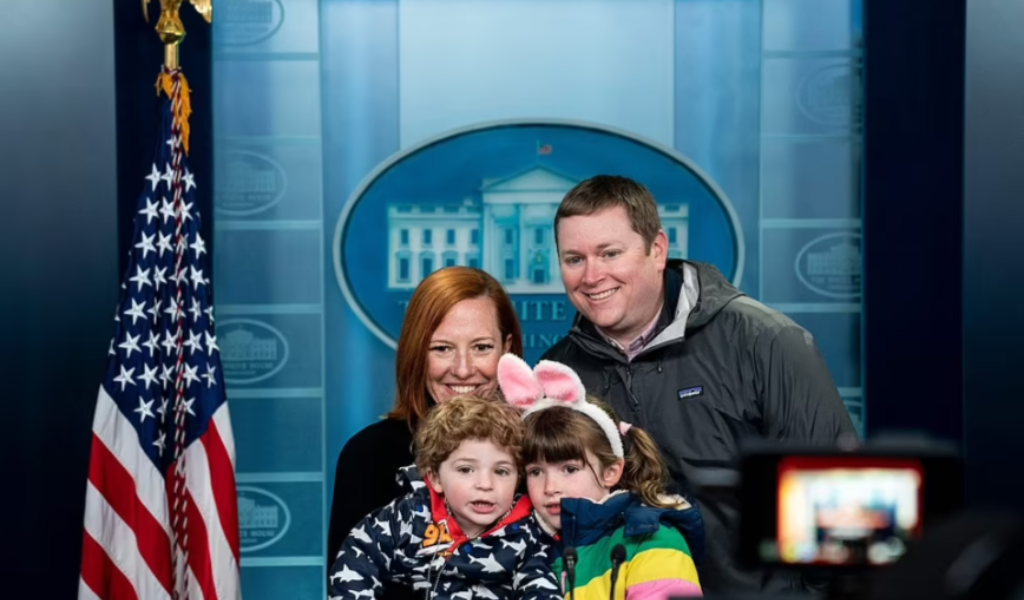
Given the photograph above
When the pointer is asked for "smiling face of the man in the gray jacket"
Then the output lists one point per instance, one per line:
(609, 275)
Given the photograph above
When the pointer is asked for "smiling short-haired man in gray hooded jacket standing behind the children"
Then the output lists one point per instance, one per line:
(681, 353)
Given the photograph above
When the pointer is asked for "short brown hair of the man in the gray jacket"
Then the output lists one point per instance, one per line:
(605, 192)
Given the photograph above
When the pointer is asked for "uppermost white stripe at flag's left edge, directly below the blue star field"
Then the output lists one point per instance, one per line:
(118, 435)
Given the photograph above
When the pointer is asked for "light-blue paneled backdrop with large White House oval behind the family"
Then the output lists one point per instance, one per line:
(361, 145)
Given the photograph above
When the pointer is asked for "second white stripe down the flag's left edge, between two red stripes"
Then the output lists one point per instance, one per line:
(118, 541)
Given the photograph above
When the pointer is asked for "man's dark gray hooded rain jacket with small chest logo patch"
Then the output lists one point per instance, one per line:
(722, 368)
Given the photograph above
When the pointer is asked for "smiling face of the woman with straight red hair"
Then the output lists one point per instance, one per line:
(464, 351)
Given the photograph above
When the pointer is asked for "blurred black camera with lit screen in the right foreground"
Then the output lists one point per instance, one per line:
(834, 511)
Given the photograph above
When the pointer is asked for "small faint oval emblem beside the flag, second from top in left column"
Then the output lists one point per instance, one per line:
(248, 184)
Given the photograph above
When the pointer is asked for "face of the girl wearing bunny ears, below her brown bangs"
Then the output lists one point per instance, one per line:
(548, 484)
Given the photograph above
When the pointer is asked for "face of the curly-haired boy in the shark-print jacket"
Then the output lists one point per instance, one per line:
(479, 482)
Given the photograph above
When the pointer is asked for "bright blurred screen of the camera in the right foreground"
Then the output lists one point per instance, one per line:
(847, 511)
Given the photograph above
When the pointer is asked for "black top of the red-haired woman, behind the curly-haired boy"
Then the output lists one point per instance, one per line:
(366, 479)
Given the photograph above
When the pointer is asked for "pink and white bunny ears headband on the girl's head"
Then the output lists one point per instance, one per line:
(552, 384)
